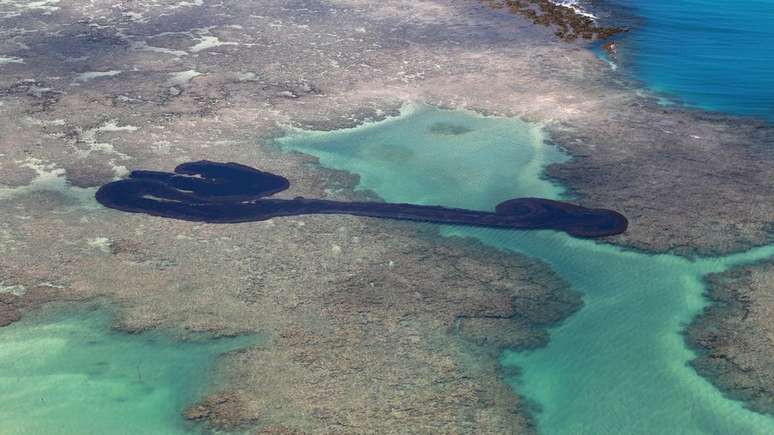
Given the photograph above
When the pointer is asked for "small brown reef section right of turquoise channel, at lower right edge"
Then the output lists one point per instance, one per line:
(735, 335)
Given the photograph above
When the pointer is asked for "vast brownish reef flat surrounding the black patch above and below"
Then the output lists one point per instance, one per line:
(327, 65)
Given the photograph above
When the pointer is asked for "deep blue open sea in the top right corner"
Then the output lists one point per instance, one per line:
(713, 54)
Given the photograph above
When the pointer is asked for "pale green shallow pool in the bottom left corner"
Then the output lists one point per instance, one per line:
(67, 372)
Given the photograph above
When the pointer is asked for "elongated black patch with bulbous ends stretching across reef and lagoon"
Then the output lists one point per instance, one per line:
(206, 191)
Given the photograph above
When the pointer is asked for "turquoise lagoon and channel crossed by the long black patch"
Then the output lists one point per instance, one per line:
(617, 366)
